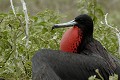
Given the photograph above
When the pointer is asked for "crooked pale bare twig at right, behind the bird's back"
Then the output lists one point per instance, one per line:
(117, 32)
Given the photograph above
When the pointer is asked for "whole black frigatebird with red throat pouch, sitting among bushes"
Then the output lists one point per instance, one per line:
(89, 55)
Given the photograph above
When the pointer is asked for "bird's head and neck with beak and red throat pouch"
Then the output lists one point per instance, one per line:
(74, 37)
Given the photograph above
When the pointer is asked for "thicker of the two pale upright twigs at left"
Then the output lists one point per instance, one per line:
(27, 21)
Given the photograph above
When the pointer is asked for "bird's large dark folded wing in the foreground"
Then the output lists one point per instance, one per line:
(58, 65)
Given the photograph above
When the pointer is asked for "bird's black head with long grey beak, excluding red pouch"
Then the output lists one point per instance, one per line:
(84, 22)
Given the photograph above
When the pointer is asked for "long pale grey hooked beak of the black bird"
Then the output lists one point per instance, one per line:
(67, 24)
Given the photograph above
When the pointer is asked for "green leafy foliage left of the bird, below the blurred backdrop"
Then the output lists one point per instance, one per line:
(15, 57)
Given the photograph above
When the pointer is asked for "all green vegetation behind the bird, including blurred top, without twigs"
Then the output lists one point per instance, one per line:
(15, 57)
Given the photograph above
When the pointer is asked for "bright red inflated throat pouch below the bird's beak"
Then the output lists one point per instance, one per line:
(71, 40)
